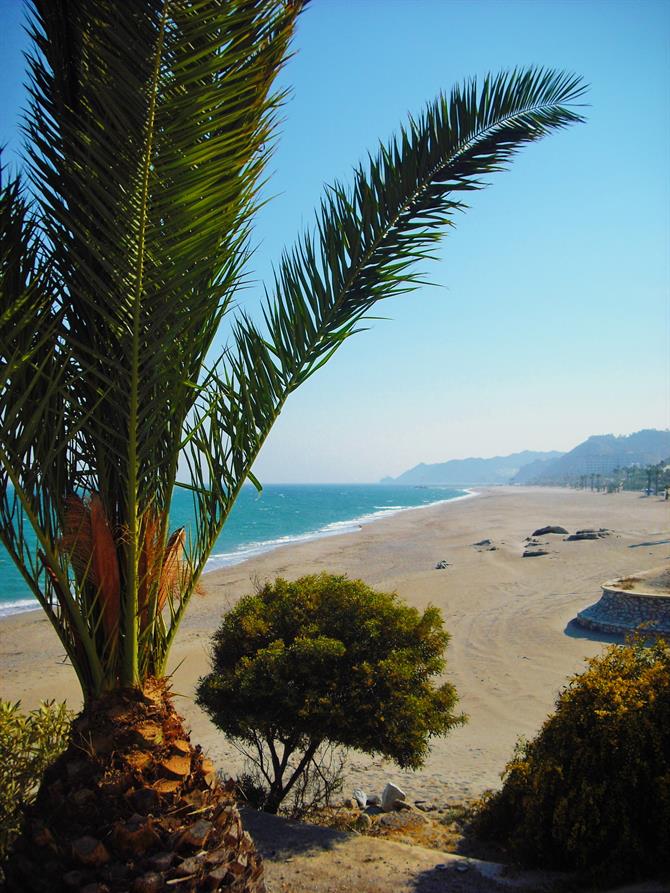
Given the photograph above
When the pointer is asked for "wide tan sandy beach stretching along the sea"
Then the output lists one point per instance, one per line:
(513, 645)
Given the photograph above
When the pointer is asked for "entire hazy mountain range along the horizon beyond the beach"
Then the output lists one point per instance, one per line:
(599, 454)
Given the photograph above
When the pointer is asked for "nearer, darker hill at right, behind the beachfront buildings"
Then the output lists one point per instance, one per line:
(599, 454)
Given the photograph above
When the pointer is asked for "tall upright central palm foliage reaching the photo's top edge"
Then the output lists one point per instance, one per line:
(149, 130)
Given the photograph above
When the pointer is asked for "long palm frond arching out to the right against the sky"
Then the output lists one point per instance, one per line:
(366, 245)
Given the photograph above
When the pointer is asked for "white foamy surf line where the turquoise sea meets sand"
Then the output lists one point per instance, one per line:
(249, 551)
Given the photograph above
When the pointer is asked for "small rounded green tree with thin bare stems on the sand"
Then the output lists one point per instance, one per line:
(327, 659)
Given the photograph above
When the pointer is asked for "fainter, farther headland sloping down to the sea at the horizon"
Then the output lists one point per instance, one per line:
(496, 470)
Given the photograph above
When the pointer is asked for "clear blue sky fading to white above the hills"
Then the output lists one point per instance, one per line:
(549, 319)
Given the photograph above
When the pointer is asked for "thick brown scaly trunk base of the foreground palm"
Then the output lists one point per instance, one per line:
(130, 806)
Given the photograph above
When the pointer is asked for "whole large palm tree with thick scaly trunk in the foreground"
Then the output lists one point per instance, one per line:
(147, 134)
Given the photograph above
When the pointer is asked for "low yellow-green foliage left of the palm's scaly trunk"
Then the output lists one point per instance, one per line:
(28, 744)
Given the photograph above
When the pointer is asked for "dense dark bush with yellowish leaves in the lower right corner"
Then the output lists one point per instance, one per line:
(592, 791)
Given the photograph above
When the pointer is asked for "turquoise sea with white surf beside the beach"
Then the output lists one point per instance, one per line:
(278, 515)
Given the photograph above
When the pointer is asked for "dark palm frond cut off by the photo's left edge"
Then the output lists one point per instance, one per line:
(33, 393)
